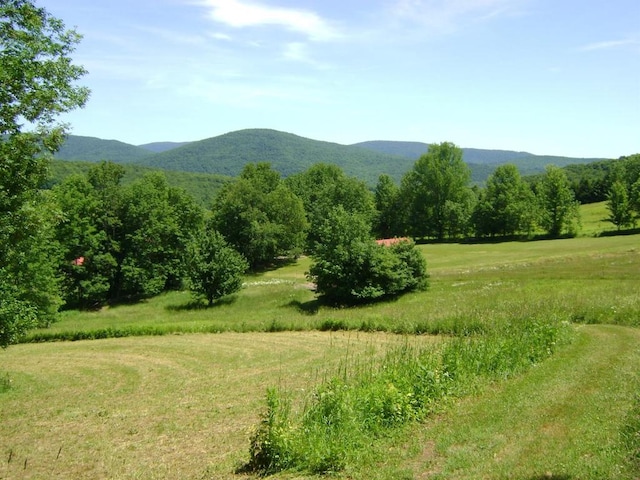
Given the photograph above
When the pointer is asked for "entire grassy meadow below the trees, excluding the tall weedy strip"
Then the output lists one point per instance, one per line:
(183, 392)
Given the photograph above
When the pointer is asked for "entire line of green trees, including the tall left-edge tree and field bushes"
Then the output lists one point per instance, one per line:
(92, 241)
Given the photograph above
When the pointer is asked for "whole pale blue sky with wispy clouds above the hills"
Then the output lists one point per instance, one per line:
(550, 77)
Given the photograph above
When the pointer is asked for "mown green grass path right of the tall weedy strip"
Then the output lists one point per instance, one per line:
(562, 420)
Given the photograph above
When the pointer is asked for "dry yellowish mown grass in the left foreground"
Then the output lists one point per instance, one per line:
(180, 406)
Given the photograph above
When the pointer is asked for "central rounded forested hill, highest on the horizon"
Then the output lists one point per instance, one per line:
(288, 154)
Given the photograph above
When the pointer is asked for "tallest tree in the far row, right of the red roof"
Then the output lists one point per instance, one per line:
(437, 192)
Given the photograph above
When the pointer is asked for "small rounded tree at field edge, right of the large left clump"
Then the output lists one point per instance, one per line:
(214, 268)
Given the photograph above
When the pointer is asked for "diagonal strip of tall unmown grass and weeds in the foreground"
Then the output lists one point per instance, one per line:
(346, 412)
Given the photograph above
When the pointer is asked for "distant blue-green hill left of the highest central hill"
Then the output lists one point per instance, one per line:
(90, 149)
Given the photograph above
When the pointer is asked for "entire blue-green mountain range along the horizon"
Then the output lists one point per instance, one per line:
(289, 154)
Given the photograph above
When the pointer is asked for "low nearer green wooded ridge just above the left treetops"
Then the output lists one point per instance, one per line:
(203, 187)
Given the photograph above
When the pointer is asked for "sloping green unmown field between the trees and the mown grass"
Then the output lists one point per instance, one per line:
(593, 279)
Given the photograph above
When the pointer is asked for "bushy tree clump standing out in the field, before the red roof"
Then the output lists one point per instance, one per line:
(349, 267)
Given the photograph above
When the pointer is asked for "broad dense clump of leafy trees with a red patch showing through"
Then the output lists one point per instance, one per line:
(122, 242)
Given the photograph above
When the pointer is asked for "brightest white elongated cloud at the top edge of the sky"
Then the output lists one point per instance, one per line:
(240, 14)
